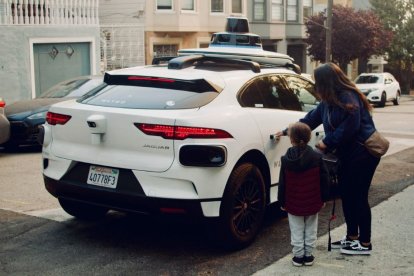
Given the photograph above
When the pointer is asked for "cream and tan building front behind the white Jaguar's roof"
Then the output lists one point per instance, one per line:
(174, 24)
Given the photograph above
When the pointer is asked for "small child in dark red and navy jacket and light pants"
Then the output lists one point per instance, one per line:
(302, 188)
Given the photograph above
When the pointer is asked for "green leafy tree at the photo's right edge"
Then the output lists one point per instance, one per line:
(397, 16)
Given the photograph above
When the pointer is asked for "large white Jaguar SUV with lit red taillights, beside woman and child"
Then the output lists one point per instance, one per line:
(193, 137)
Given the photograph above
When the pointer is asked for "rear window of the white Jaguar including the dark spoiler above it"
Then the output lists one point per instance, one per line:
(142, 92)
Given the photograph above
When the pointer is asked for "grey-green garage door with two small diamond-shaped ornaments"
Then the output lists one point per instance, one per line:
(56, 62)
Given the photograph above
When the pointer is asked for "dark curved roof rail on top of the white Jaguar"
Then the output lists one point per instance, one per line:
(186, 61)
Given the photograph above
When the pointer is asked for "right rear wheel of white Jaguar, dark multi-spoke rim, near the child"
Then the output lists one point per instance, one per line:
(243, 206)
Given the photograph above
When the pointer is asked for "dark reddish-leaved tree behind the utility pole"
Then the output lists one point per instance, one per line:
(355, 34)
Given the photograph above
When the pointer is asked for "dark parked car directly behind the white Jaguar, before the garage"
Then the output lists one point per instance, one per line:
(26, 116)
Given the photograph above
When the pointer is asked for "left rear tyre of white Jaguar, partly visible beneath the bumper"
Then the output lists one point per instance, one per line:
(82, 210)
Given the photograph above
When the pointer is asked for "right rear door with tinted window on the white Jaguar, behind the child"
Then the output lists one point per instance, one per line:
(274, 105)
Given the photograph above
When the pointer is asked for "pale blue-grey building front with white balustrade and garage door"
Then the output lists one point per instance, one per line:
(44, 42)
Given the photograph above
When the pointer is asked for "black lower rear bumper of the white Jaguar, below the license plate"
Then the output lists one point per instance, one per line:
(134, 202)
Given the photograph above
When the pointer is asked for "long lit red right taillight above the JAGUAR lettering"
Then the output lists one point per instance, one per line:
(182, 132)
